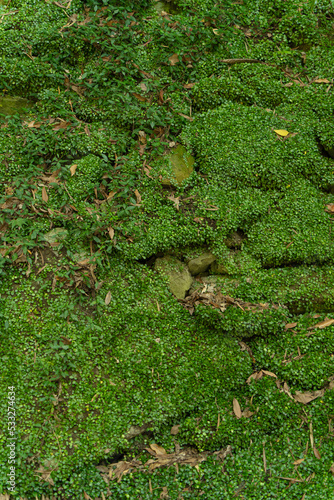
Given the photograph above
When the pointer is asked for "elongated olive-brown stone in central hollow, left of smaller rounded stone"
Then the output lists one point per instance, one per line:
(177, 273)
